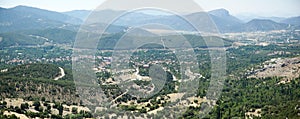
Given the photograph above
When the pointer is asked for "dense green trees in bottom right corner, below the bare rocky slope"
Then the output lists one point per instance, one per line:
(249, 94)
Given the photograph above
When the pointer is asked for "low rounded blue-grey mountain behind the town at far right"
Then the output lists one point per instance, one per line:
(261, 25)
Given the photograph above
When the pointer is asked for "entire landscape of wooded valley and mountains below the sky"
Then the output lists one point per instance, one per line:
(45, 74)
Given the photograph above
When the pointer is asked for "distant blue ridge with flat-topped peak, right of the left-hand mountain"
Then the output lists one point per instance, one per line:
(224, 21)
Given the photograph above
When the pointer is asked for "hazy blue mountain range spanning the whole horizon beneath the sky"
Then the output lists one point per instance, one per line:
(26, 18)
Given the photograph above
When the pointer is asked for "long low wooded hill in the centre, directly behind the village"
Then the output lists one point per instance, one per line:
(196, 41)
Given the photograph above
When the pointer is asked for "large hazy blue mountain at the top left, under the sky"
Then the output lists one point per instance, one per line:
(24, 18)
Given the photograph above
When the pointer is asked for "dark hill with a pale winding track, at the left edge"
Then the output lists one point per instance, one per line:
(37, 37)
